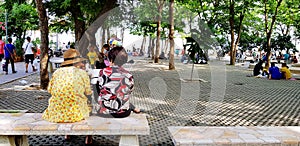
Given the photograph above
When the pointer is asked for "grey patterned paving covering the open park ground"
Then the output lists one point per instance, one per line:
(217, 95)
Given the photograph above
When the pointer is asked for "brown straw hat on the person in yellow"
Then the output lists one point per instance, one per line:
(72, 56)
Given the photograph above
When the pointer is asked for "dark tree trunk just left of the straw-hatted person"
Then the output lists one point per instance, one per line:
(43, 20)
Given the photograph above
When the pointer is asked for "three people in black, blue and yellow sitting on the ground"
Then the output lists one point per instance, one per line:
(273, 72)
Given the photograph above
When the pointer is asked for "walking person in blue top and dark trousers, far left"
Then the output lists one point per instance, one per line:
(9, 55)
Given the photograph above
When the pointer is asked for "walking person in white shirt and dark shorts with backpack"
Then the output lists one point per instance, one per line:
(29, 54)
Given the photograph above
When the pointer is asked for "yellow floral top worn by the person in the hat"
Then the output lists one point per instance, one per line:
(68, 103)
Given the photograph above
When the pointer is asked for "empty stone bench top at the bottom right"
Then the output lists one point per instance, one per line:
(235, 136)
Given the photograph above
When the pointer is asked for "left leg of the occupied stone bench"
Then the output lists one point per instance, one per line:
(13, 141)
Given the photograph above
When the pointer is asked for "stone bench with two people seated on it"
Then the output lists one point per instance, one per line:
(14, 127)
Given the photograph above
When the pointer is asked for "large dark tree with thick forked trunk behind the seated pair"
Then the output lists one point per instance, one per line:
(83, 14)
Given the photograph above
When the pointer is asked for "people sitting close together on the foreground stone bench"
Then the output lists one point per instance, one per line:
(70, 87)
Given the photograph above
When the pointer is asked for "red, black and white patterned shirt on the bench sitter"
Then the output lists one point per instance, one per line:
(116, 85)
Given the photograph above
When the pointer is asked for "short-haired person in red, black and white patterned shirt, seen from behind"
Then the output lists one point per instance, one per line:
(116, 85)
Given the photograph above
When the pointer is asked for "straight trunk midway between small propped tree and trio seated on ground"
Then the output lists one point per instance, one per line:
(232, 46)
